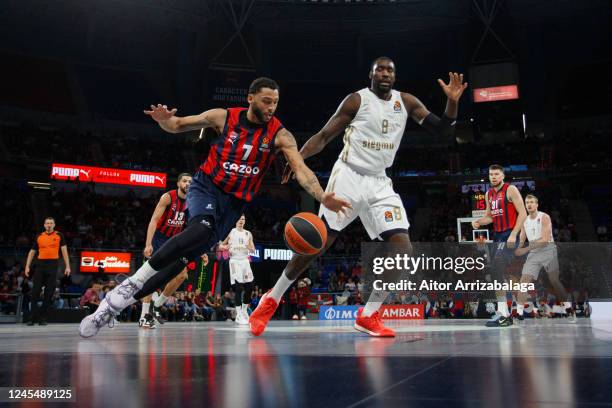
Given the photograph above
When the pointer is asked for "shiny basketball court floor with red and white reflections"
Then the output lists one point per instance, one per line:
(432, 363)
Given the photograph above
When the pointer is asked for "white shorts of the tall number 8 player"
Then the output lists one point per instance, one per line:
(373, 199)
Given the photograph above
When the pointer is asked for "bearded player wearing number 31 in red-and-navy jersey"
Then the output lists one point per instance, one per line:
(505, 209)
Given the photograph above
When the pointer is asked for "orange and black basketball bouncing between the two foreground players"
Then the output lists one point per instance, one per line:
(305, 234)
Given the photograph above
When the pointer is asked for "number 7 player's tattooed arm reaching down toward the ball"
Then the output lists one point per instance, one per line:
(285, 142)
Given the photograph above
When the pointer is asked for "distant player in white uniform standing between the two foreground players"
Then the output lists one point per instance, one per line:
(239, 242)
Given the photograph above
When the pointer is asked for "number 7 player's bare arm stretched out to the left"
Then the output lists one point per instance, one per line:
(214, 118)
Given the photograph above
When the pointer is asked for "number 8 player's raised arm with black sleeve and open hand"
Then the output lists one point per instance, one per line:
(444, 126)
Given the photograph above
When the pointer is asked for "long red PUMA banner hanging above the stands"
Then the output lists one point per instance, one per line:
(87, 174)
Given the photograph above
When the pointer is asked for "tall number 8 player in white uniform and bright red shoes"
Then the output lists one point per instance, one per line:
(373, 120)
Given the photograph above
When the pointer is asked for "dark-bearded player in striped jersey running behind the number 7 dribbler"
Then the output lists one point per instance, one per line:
(168, 219)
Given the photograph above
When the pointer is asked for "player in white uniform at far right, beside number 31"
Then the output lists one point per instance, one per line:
(542, 254)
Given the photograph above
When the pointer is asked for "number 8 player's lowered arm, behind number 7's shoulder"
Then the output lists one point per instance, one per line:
(335, 125)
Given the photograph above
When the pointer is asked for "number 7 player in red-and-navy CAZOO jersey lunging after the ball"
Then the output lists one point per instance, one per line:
(248, 141)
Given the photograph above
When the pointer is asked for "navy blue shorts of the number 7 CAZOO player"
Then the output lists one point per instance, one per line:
(205, 198)
